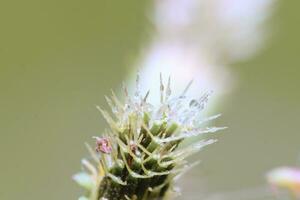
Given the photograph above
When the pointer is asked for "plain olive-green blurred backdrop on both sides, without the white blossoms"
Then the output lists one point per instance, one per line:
(59, 58)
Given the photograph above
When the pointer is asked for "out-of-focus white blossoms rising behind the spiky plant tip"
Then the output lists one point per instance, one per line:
(198, 39)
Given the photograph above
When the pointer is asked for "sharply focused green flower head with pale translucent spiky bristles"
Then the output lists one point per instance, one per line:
(141, 155)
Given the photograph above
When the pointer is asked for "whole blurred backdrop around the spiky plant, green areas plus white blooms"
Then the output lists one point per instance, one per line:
(59, 58)
